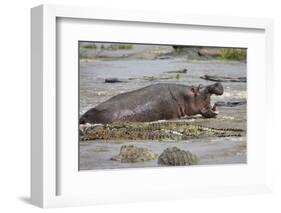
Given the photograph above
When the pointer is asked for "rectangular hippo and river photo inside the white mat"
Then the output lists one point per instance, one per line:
(150, 105)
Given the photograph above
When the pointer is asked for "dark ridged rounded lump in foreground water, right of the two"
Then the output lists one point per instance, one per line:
(173, 156)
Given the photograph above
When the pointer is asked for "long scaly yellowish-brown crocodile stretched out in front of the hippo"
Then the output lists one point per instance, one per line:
(160, 130)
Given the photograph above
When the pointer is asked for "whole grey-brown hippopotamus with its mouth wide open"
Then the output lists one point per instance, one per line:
(155, 102)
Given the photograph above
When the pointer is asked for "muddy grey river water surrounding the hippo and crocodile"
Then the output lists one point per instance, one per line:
(137, 73)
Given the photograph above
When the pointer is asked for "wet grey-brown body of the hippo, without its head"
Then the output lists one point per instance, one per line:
(150, 103)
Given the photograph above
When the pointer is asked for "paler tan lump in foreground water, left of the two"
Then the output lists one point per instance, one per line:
(132, 154)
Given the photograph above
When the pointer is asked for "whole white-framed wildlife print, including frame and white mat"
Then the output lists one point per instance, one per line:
(130, 105)
